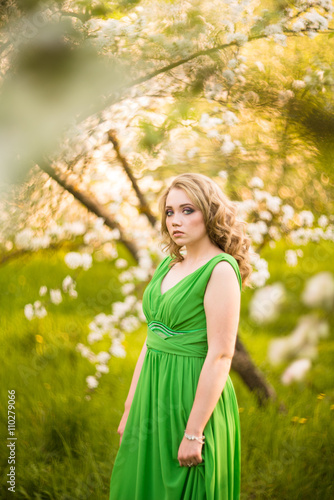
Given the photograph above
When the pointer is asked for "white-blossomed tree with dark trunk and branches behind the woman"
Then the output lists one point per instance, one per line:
(127, 95)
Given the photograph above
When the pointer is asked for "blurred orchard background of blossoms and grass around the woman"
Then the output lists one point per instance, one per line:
(102, 103)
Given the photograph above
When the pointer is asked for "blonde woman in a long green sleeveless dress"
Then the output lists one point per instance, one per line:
(180, 432)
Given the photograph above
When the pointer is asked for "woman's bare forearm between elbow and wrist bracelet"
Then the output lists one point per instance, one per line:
(210, 385)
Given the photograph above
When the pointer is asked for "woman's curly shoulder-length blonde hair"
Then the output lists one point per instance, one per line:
(219, 213)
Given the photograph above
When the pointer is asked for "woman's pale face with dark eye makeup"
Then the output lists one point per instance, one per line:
(182, 215)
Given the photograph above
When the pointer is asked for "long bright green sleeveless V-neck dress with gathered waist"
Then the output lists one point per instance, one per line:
(146, 466)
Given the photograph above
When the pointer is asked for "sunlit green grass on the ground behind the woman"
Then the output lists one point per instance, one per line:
(66, 445)
